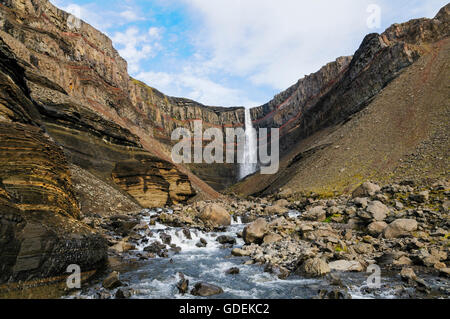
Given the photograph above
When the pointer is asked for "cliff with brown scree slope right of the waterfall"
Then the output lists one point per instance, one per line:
(382, 116)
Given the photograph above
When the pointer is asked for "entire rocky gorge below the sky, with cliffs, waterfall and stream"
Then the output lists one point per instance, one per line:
(86, 175)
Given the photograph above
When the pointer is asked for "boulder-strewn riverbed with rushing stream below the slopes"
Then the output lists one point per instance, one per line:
(284, 246)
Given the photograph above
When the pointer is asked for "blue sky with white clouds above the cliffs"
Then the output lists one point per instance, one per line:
(238, 52)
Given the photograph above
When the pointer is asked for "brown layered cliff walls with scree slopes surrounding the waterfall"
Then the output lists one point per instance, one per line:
(79, 137)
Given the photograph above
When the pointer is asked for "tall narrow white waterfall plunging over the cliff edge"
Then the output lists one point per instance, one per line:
(250, 162)
